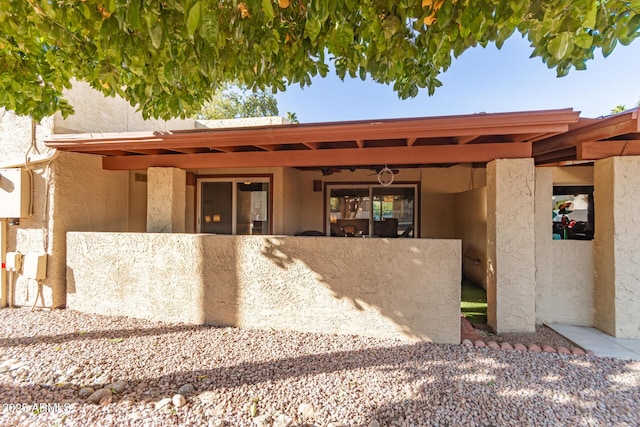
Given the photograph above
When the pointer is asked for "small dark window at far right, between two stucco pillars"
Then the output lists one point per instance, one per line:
(572, 214)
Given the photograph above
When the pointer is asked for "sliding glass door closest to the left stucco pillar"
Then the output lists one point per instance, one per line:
(234, 205)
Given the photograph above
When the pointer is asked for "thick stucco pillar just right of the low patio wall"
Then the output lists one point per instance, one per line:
(511, 269)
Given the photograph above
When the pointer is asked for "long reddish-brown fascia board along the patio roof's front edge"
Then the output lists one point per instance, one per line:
(549, 121)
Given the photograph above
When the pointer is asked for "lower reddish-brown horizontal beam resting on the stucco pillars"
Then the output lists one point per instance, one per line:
(444, 154)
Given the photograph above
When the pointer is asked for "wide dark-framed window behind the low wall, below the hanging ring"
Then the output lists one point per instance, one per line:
(367, 210)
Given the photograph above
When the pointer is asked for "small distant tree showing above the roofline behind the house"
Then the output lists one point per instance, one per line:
(234, 101)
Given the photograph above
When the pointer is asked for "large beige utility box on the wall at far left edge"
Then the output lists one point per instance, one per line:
(15, 193)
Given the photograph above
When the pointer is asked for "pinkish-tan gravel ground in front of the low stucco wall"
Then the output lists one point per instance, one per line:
(228, 376)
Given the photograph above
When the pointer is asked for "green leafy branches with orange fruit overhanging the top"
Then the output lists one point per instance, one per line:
(169, 56)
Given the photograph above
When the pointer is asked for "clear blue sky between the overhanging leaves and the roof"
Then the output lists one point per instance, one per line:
(481, 80)
